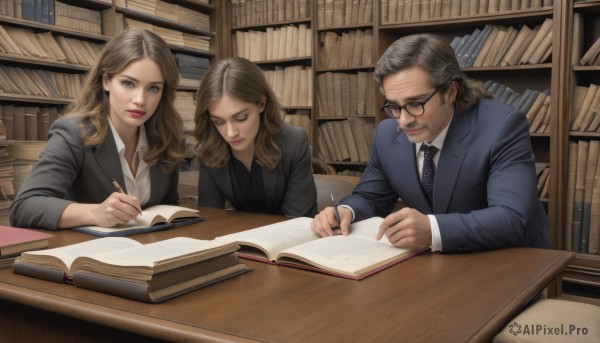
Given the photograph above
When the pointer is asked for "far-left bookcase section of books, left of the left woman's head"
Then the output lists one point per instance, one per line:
(46, 47)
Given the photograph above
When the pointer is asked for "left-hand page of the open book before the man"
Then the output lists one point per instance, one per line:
(274, 238)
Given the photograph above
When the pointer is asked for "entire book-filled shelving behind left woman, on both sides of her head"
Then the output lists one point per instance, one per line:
(47, 47)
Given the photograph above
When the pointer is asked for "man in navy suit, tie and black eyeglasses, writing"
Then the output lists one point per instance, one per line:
(462, 163)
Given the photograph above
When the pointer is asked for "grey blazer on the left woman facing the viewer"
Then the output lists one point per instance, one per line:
(70, 172)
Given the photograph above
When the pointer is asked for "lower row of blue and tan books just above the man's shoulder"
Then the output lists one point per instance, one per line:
(535, 104)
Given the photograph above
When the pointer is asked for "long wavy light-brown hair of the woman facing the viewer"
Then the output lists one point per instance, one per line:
(164, 130)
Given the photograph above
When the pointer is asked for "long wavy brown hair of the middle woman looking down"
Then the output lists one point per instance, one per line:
(239, 78)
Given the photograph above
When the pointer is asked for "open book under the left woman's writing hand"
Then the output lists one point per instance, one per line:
(153, 218)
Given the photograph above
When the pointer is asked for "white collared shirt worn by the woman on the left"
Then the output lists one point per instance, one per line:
(139, 185)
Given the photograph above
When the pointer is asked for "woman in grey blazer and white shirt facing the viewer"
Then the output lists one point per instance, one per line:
(123, 131)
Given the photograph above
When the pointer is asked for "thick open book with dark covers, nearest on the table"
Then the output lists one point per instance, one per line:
(124, 267)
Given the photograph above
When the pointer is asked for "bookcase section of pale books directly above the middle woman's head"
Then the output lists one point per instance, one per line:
(278, 36)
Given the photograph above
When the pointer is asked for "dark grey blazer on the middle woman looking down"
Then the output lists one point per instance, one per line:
(290, 184)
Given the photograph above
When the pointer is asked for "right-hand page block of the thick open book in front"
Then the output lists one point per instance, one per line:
(148, 258)
